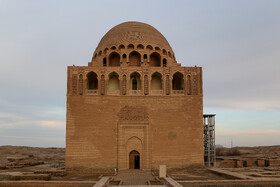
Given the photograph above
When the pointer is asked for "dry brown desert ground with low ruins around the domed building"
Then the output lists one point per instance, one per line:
(19, 163)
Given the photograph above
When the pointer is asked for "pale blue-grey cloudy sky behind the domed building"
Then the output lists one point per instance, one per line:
(236, 42)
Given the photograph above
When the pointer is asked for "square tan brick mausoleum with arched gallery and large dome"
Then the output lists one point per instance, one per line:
(134, 101)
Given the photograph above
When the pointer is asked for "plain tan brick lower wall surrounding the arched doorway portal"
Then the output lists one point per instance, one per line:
(174, 130)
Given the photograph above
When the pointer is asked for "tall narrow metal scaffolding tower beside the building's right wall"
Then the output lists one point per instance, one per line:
(209, 139)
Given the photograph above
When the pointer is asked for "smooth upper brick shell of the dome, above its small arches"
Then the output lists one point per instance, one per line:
(133, 34)
